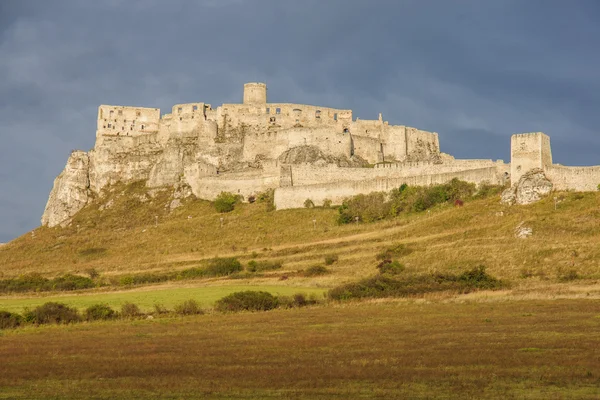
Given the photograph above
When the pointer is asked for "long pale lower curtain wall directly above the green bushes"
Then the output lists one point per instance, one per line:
(294, 197)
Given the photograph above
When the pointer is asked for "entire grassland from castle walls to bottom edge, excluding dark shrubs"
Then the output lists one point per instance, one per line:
(537, 338)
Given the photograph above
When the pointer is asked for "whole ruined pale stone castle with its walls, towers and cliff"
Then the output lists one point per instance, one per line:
(301, 151)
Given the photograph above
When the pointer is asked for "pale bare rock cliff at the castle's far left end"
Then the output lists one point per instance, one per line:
(70, 192)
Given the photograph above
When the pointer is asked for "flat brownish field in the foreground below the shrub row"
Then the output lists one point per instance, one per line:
(400, 349)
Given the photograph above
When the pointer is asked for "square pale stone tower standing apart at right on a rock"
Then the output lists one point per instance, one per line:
(528, 151)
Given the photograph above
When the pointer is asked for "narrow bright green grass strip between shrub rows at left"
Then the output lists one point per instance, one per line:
(206, 296)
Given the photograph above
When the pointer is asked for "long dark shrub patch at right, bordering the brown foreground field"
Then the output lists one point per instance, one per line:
(384, 285)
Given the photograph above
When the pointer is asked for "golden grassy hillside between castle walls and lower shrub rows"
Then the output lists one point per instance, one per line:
(127, 230)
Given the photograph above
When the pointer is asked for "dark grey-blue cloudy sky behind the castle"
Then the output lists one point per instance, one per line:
(474, 71)
